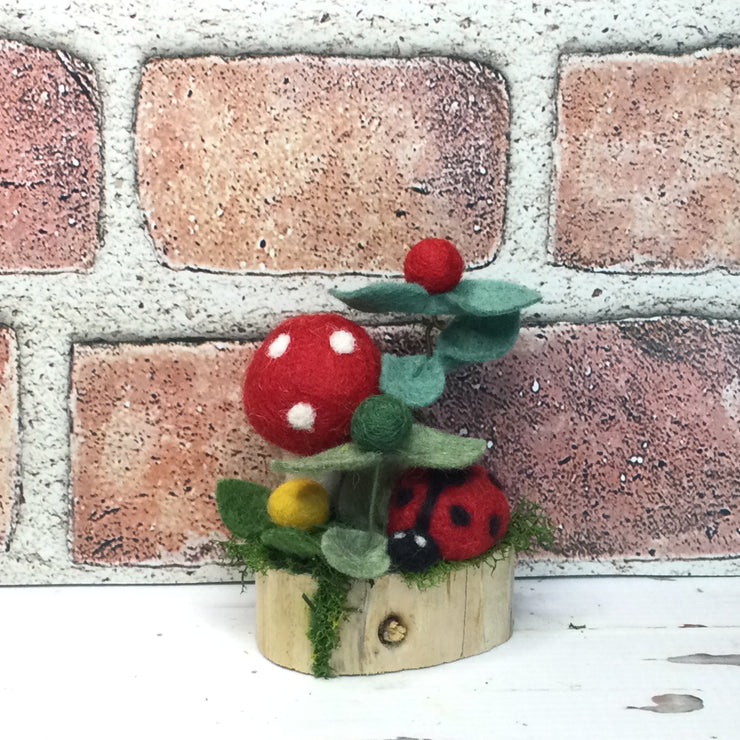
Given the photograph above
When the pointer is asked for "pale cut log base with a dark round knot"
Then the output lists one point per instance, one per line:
(390, 626)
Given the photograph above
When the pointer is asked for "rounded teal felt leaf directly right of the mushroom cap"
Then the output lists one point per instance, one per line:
(417, 380)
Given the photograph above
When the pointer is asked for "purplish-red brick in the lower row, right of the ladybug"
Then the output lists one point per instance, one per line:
(628, 433)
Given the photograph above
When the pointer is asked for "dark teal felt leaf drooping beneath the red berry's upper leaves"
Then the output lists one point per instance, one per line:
(473, 339)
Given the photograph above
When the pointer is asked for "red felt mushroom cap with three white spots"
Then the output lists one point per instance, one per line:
(307, 378)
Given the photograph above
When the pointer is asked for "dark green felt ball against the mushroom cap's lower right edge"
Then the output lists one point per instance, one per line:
(381, 423)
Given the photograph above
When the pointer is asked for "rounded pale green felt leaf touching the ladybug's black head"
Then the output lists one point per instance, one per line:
(355, 553)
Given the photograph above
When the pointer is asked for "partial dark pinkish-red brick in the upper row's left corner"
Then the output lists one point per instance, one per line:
(49, 160)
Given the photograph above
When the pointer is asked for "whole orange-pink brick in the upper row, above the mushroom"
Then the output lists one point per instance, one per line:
(310, 163)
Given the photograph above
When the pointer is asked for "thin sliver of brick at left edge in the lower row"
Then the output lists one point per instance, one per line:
(8, 434)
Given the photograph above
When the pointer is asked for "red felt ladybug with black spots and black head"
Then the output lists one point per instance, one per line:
(444, 514)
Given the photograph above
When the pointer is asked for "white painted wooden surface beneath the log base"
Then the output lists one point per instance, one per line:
(182, 661)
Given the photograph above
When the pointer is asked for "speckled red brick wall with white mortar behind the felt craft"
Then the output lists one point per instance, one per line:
(171, 186)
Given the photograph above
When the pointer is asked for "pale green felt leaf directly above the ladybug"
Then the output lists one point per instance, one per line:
(430, 448)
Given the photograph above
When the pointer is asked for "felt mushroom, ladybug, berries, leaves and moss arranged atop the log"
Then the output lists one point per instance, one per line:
(409, 499)
